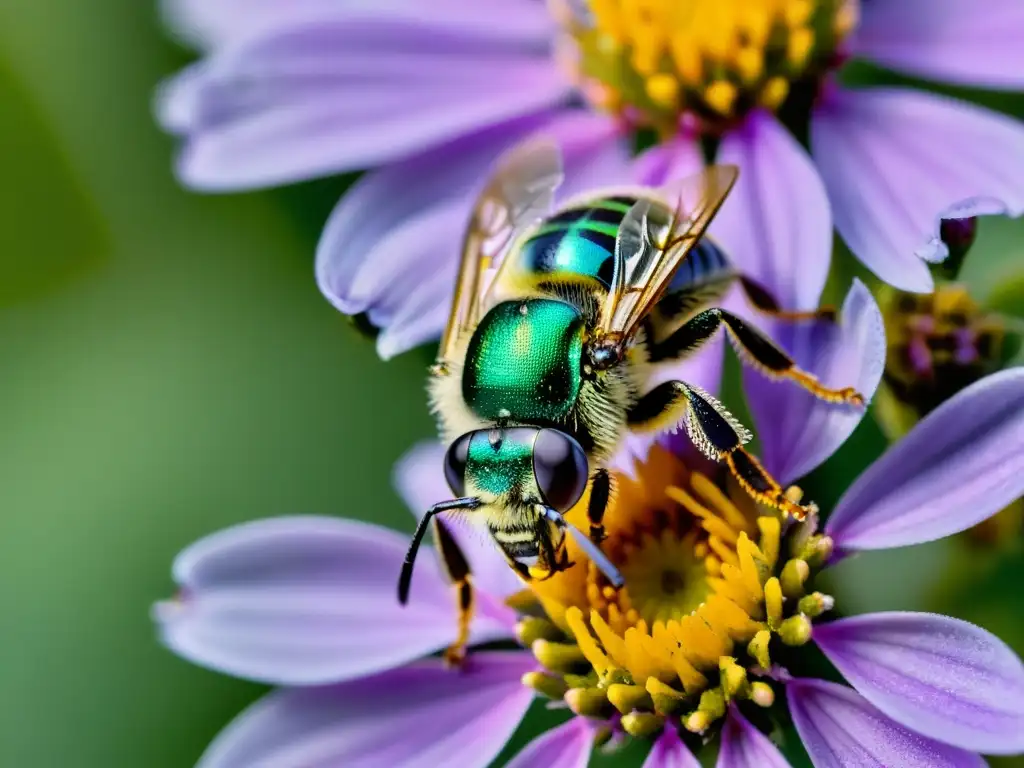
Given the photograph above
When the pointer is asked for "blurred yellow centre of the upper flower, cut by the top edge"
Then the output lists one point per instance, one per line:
(713, 61)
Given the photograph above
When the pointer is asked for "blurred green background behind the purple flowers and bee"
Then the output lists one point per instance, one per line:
(168, 368)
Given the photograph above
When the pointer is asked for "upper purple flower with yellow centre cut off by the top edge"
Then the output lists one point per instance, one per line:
(433, 95)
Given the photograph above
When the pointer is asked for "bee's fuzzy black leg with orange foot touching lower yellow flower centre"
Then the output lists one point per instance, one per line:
(718, 436)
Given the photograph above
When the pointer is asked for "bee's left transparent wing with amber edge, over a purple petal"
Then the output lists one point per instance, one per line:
(521, 191)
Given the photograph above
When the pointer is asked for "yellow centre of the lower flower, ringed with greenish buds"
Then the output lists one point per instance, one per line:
(712, 587)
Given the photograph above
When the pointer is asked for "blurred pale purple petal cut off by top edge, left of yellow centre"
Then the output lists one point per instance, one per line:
(215, 23)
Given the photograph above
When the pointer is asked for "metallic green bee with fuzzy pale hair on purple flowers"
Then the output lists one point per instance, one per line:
(544, 367)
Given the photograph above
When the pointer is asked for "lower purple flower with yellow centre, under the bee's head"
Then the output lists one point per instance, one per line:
(309, 604)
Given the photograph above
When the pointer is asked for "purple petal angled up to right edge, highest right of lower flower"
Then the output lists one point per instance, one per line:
(961, 464)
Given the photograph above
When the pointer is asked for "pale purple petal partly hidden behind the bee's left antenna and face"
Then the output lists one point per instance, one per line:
(419, 478)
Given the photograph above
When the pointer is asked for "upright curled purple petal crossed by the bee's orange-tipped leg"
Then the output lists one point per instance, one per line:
(799, 432)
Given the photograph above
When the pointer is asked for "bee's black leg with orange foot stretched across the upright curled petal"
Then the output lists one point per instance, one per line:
(754, 348)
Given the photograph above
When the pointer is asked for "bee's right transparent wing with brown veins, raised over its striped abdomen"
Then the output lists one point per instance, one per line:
(654, 240)
